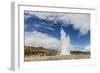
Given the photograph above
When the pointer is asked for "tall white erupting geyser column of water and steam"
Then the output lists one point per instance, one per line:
(65, 43)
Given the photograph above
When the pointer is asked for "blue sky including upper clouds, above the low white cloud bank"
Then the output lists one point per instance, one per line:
(77, 26)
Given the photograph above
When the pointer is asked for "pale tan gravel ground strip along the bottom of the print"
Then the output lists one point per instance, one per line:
(57, 57)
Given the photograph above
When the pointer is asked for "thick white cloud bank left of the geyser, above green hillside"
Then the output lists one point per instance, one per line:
(38, 39)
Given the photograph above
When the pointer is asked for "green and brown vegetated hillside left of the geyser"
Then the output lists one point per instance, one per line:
(39, 51)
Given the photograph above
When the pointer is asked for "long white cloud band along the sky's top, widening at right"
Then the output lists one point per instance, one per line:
(79, 21)
